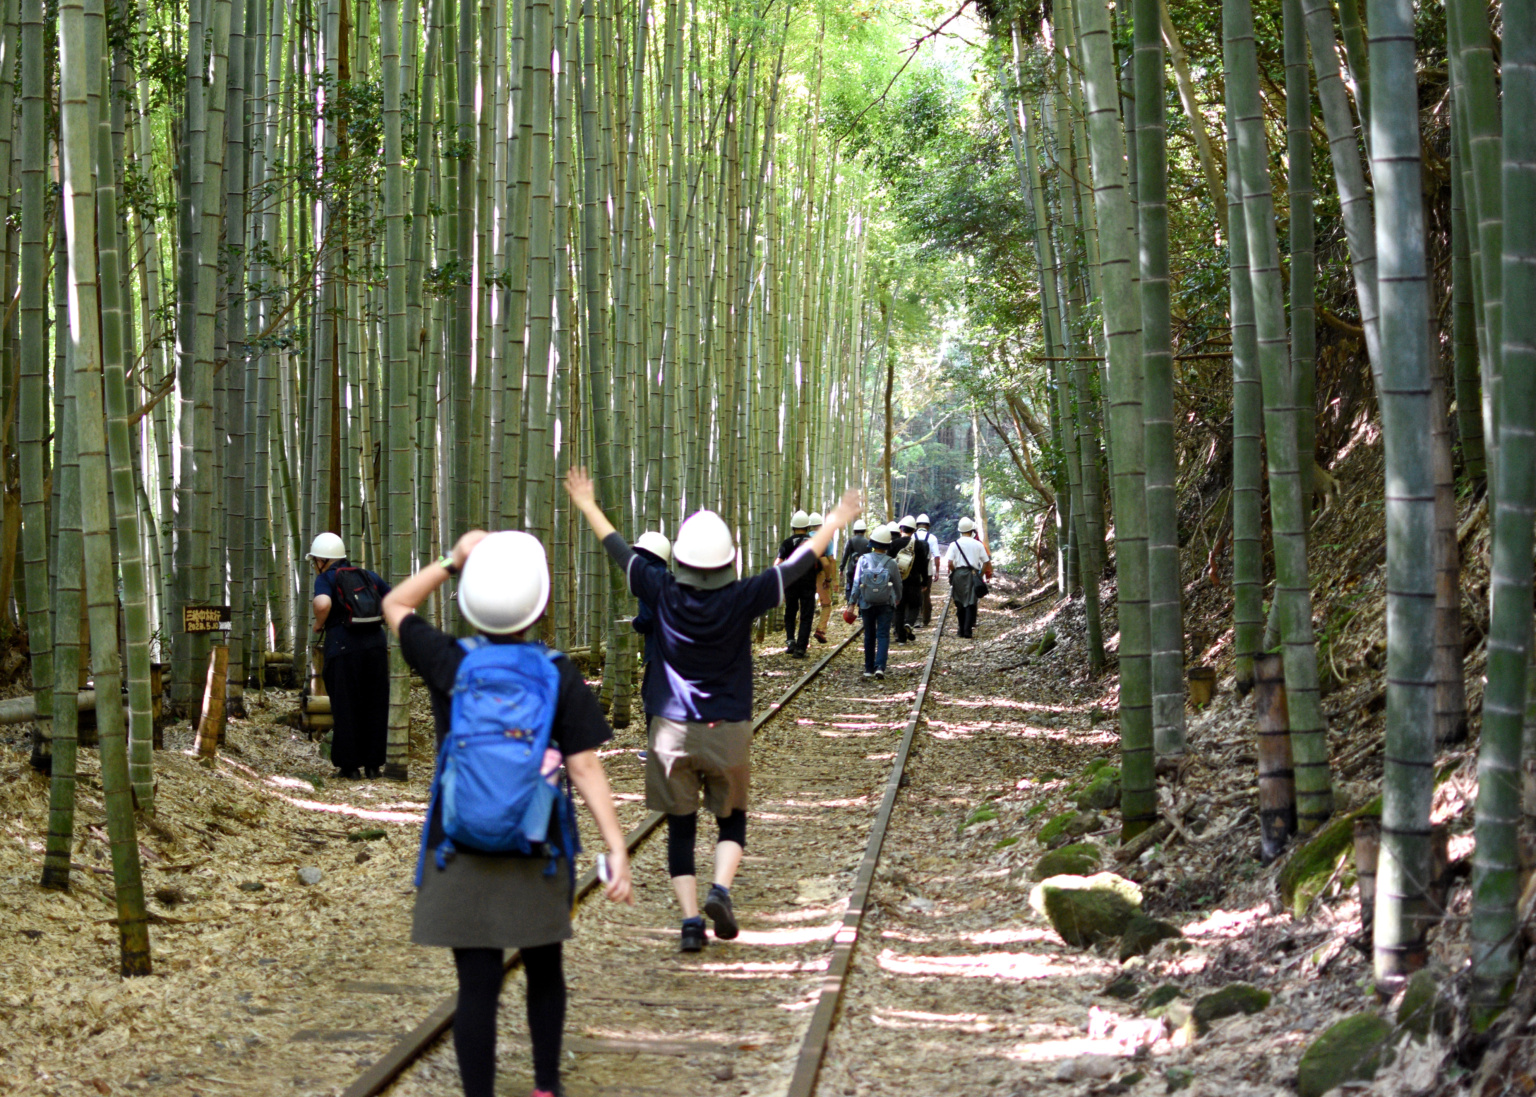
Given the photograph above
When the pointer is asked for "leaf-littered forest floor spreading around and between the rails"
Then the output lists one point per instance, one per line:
(266, 986)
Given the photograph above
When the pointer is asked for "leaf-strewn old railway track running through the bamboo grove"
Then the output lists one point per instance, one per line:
(755, 1015)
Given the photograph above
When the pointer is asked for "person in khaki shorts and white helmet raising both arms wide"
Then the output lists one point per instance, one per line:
(701, 734)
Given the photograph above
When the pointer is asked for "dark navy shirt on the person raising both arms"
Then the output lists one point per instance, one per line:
(703, 638)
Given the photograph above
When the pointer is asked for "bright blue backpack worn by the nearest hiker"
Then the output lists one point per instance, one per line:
(488, 789)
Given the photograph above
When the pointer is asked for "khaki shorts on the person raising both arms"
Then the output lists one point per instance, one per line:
(684, 758)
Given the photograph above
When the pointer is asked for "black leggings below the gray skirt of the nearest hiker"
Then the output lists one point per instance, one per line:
(482, 973)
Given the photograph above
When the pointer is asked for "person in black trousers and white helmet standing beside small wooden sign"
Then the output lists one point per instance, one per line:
(349, 620)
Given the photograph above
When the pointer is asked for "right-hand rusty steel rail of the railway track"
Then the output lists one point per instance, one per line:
(813, 1047)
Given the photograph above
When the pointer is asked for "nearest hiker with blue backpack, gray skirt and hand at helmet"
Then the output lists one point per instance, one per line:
(497, 867)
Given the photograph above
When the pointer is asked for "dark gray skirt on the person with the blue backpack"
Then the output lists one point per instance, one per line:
(492, 903)
